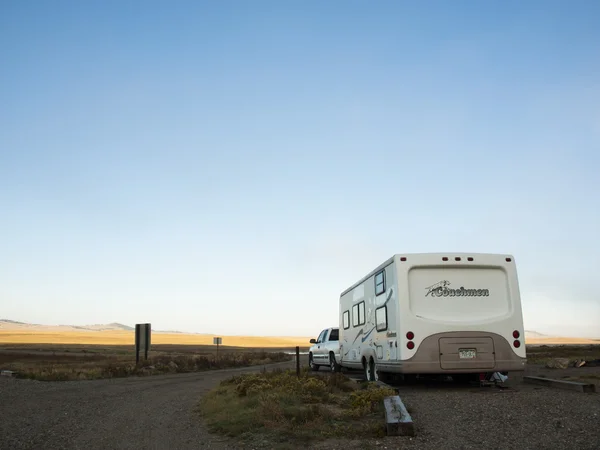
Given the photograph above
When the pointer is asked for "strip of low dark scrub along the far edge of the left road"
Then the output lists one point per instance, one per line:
(89, 366)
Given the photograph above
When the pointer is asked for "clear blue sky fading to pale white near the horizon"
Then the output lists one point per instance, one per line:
(232, 166)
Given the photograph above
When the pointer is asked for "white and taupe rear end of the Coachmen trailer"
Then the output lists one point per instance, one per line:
(459, 313)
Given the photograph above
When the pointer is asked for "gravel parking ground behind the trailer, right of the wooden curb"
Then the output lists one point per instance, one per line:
(524, 417)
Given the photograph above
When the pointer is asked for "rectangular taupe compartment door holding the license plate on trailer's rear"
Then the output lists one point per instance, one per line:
(467, 353)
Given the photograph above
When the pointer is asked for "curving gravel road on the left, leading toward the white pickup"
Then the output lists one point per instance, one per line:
(156, 412)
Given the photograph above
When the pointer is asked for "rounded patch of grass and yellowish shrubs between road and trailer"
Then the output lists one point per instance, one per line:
(277, 406)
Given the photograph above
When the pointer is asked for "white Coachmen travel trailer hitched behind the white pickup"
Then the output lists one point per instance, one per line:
(433, 314)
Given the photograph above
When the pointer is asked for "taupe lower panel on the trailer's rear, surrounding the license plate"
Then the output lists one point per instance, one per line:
(439, 353)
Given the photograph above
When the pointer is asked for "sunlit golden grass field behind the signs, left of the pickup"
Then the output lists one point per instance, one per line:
(114, 337)
